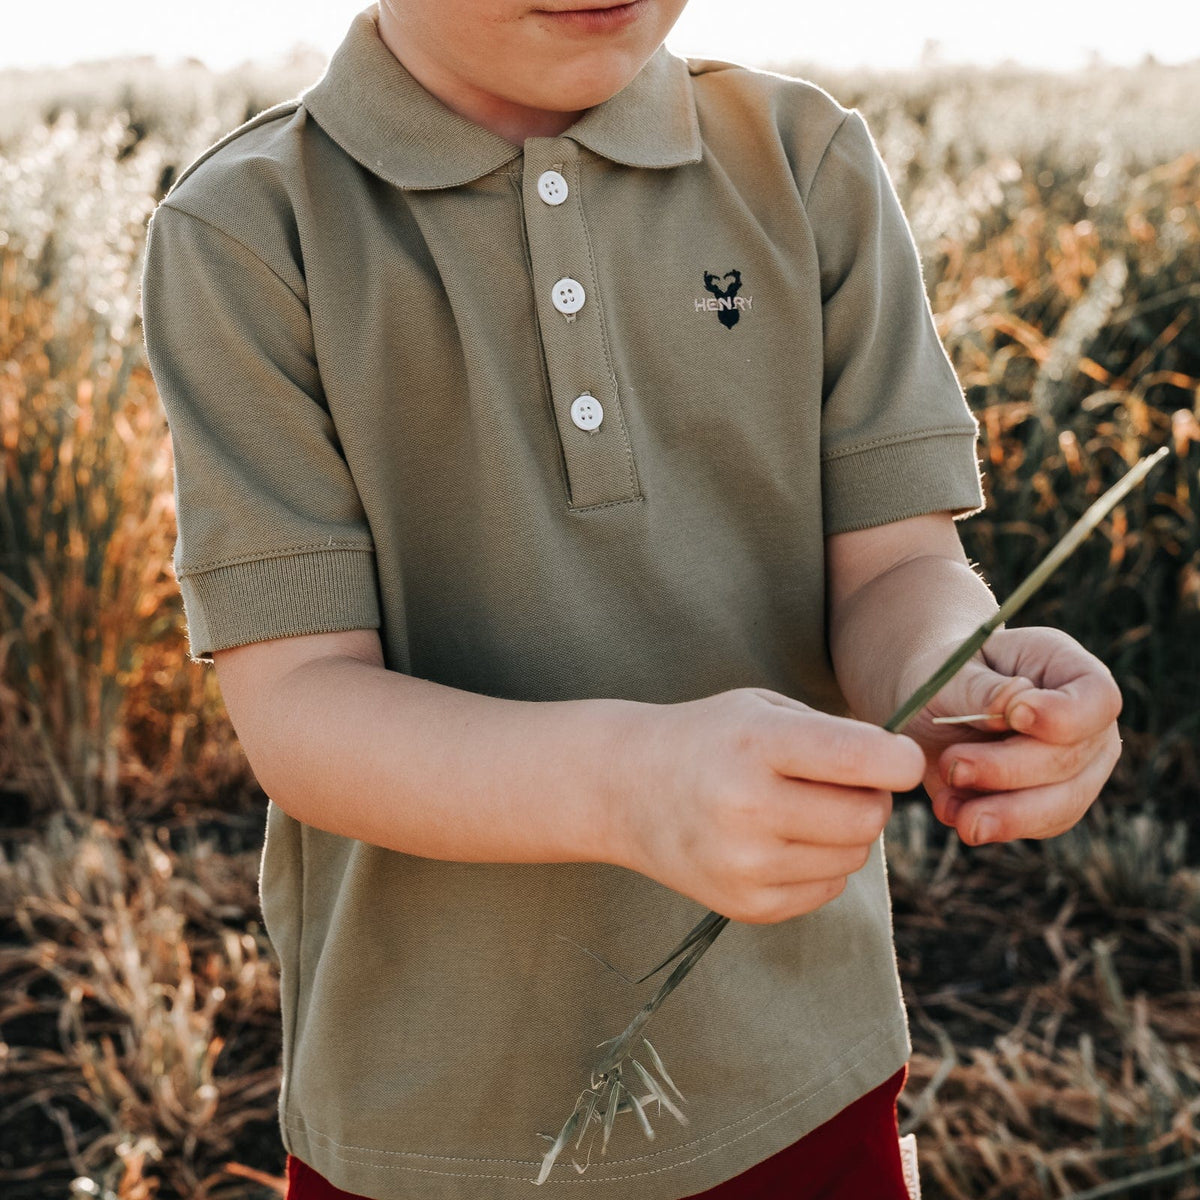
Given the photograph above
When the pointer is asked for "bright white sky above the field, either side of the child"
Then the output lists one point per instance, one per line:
(1059, 34)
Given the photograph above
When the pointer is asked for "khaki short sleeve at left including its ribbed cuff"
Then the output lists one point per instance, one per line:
(273, 539)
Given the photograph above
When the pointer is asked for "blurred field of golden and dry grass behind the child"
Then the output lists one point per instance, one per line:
(1053, 987)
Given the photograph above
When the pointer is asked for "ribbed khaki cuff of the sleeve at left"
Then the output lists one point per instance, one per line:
(316, 592)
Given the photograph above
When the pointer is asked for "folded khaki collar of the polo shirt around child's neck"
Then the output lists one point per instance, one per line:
(379, 113)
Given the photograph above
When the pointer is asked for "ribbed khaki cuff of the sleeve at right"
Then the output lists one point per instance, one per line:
(896, 481)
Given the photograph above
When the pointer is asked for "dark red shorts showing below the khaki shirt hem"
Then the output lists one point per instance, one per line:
(854, 1155)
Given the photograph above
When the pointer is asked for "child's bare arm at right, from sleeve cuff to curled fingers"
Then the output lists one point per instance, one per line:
(902, 597)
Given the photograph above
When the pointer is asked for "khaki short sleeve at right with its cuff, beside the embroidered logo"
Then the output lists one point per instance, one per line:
(898, 439)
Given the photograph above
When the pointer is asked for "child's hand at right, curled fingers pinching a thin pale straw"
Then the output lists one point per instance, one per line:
(1036, 771)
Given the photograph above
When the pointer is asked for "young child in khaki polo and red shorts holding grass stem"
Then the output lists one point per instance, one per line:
(565, 451)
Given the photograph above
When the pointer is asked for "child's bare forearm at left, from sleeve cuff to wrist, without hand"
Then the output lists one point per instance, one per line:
(344, 745)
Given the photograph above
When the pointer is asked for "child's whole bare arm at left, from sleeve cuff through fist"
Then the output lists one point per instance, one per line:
(748, 802)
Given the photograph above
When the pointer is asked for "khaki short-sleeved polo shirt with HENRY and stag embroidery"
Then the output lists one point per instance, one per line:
(566, 421)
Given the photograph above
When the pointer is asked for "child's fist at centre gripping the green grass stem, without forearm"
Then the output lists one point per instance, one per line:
(755, 805)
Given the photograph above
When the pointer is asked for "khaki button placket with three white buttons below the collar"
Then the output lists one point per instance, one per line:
(584, 389)
